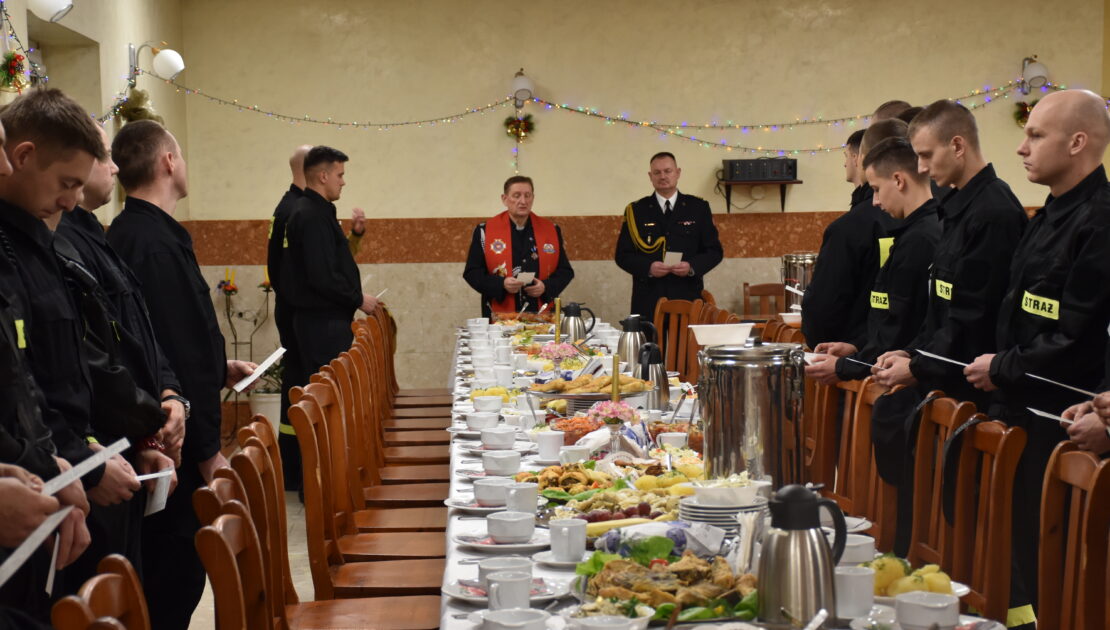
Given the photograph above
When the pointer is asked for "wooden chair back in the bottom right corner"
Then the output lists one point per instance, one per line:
(1074, 524)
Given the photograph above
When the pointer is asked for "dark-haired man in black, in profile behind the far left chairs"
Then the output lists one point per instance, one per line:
(322, 278)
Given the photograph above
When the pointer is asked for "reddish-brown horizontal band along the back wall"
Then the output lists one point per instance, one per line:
(448, 240)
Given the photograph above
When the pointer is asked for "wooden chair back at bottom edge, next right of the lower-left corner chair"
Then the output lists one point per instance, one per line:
(233, 557)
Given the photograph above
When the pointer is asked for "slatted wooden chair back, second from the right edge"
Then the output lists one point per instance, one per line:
(984, 515)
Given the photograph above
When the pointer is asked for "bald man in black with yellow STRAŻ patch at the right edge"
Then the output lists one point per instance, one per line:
(1053, 321)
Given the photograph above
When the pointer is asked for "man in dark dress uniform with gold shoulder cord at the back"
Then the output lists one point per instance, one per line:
(667, 221)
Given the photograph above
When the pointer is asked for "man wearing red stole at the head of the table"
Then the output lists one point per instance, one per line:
(518, 242)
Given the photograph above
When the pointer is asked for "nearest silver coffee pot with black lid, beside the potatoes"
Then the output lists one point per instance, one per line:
(796, 565)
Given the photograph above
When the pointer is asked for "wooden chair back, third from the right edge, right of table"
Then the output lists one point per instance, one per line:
(932, 538)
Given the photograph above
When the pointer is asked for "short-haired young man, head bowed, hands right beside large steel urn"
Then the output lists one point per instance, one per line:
(899, 297)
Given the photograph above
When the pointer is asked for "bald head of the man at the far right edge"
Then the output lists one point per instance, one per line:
(1066, 137)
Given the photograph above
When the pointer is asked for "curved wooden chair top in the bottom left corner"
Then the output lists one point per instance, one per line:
(113, 596)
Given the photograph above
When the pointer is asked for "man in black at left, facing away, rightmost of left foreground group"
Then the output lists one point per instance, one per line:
(160, 252)
